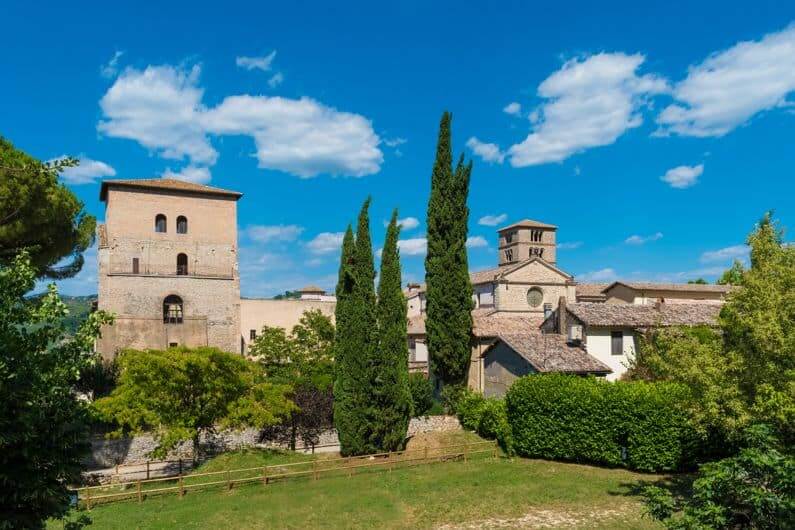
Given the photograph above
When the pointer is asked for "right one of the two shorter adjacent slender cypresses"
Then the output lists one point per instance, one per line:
(391, 376)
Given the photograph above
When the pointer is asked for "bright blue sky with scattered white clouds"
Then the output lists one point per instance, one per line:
(653, 136)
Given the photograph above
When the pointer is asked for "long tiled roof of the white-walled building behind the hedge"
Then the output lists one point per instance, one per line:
(640, 316)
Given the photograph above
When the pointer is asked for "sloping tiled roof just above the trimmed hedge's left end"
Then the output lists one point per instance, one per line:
(550, 352)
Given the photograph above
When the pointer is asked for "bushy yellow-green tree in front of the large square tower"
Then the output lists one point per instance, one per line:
(180, 393)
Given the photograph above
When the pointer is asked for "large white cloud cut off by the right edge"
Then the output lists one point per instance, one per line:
(728, 88)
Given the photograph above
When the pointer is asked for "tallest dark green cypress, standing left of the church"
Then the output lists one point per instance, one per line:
(449, 291)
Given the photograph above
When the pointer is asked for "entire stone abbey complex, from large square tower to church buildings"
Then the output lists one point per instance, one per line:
(168, 270)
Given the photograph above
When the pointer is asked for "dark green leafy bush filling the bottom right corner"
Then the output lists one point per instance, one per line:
(754, 489)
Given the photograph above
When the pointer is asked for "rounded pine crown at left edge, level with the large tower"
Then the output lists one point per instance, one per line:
(41, 215)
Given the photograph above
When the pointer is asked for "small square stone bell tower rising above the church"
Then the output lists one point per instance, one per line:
(526, 239)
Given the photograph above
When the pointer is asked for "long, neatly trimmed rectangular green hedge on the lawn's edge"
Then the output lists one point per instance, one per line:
(638, 425)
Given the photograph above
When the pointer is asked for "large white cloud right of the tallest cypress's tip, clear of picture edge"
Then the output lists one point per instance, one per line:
(590, 102)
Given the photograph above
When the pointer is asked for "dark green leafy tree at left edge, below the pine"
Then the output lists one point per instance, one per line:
(43, 425)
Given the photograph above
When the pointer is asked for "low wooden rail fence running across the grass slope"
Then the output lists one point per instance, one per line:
(181, 484)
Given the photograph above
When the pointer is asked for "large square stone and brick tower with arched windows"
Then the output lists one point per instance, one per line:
(168, 265)
